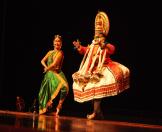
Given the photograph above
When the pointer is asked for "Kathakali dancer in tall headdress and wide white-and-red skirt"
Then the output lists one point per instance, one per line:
(98, 76)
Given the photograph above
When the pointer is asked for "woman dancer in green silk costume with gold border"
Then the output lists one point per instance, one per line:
(54, 81)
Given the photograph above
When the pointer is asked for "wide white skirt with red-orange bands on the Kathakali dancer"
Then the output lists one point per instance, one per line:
(113, 79)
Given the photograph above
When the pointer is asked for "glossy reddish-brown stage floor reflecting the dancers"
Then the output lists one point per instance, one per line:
(11, 121)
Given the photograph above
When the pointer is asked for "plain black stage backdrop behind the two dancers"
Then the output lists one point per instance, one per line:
(27, 29)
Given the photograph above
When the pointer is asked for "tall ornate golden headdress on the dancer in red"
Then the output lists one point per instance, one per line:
(102, 24)
